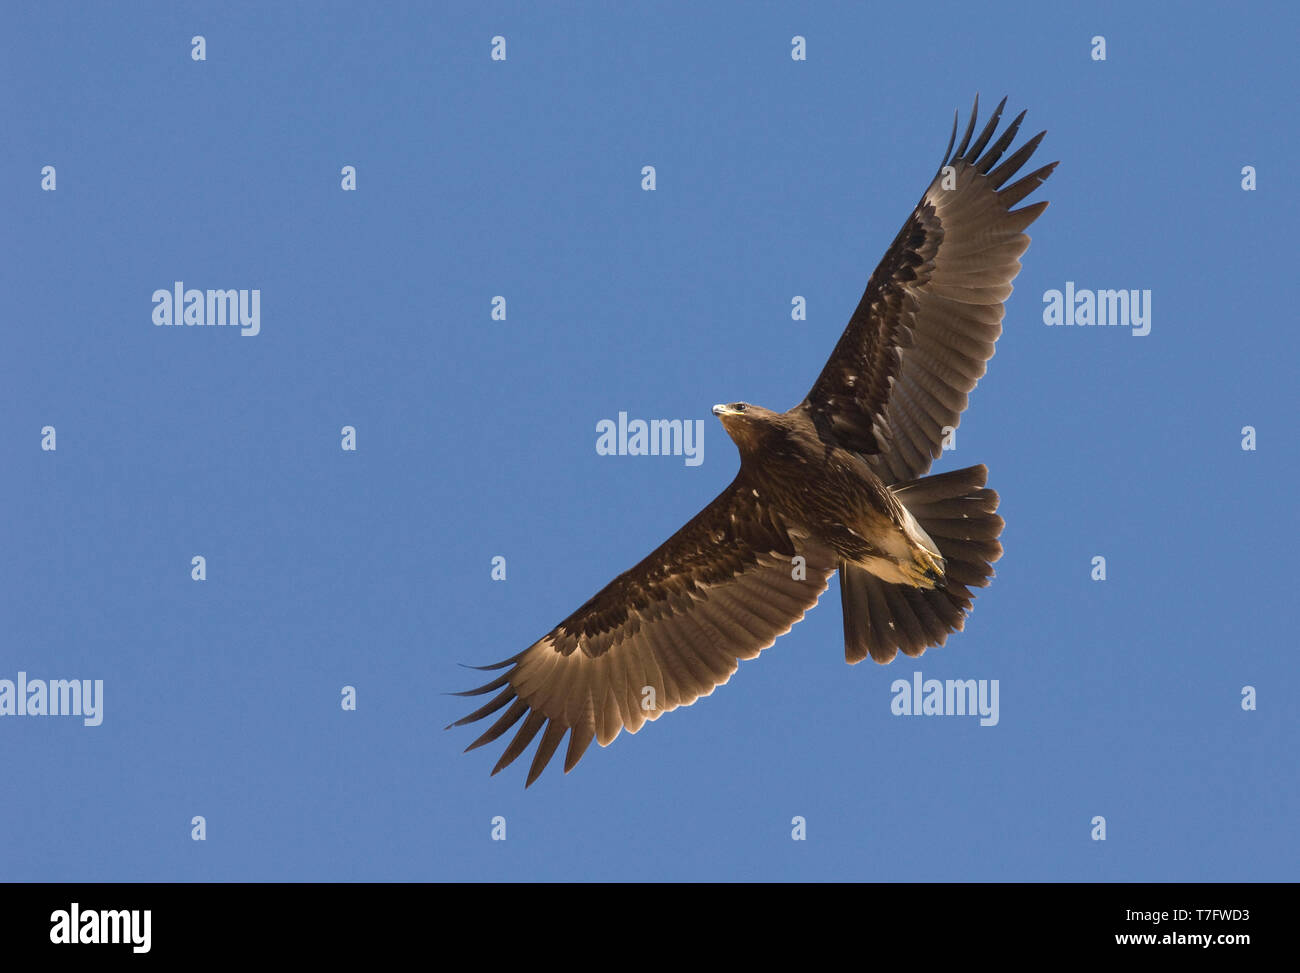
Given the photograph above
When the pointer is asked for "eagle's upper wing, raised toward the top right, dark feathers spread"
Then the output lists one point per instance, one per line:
(926, 326)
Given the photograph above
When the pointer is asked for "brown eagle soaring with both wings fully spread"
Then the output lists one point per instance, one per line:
(837, 485)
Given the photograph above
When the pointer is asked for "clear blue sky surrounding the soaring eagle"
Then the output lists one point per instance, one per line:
(478, 438)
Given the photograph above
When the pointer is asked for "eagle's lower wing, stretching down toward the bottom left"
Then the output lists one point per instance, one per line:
(721, 590)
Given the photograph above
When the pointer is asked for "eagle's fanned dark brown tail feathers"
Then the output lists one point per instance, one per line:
(960, 514)
